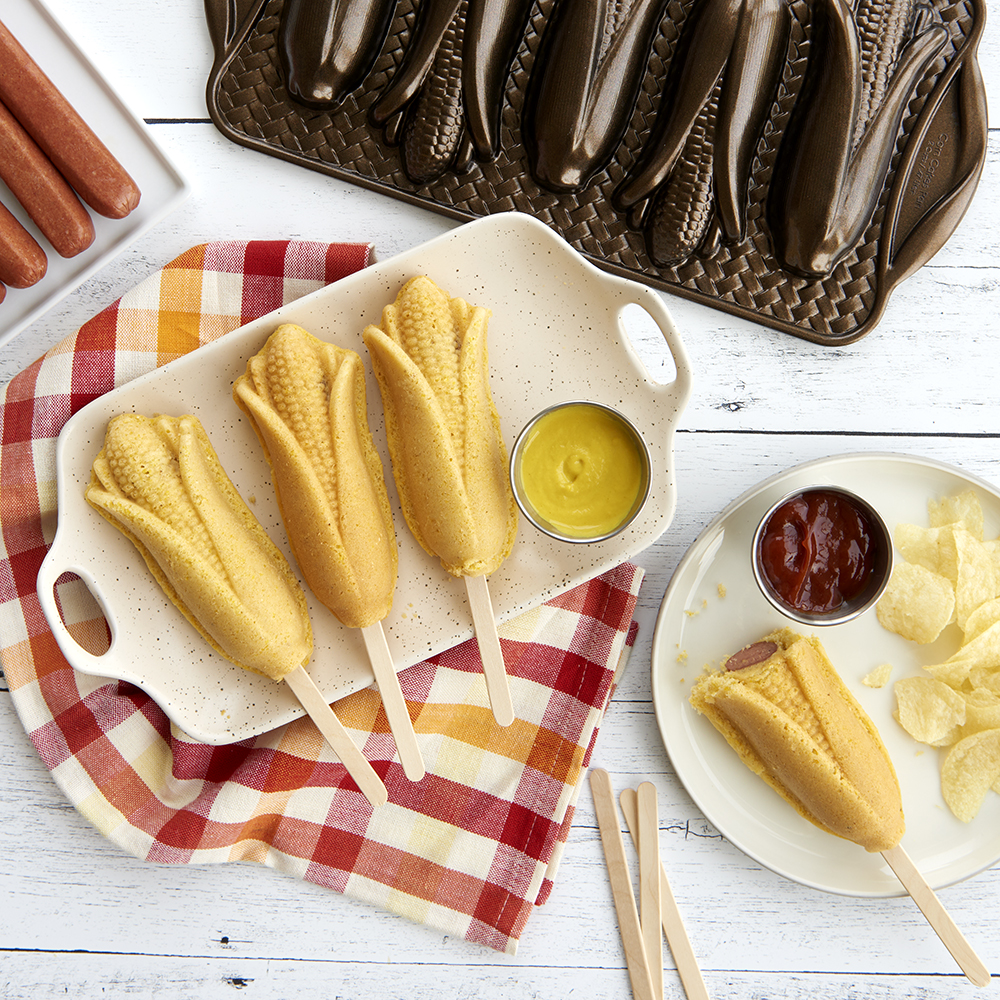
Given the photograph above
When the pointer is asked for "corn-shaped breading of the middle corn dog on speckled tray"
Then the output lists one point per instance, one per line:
(306, 403)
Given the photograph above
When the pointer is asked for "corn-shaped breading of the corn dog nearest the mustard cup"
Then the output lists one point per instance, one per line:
(448, 456)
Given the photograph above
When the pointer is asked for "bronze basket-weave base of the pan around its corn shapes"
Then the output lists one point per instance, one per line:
(934, 165)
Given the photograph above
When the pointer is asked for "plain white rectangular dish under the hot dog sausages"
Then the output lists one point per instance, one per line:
(126, 135)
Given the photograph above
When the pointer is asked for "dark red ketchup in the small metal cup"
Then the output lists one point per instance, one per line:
(816, 551)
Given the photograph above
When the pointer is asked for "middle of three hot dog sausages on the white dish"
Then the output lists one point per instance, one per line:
(41, 190)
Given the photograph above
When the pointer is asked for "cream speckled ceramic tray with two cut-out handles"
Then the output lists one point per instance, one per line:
(556, 333)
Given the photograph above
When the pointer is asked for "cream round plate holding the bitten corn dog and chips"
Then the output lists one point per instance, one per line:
(712, 607)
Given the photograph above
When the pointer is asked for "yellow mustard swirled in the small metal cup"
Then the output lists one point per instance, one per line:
(581, 470)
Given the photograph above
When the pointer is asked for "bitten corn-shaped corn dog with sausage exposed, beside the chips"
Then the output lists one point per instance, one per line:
(782, 707)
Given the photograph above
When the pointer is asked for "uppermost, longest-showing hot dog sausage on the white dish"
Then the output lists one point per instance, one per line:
(86, 163)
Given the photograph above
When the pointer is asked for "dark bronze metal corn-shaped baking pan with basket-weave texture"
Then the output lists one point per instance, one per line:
(786, 161)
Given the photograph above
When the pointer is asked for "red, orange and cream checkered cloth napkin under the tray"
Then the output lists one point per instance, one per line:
(468, 850)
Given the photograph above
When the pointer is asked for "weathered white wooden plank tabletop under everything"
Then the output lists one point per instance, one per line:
(79, 918)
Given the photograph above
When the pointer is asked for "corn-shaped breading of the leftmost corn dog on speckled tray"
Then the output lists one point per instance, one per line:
(158, 480)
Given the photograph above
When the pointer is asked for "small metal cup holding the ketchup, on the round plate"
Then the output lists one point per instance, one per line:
(877, 580)
